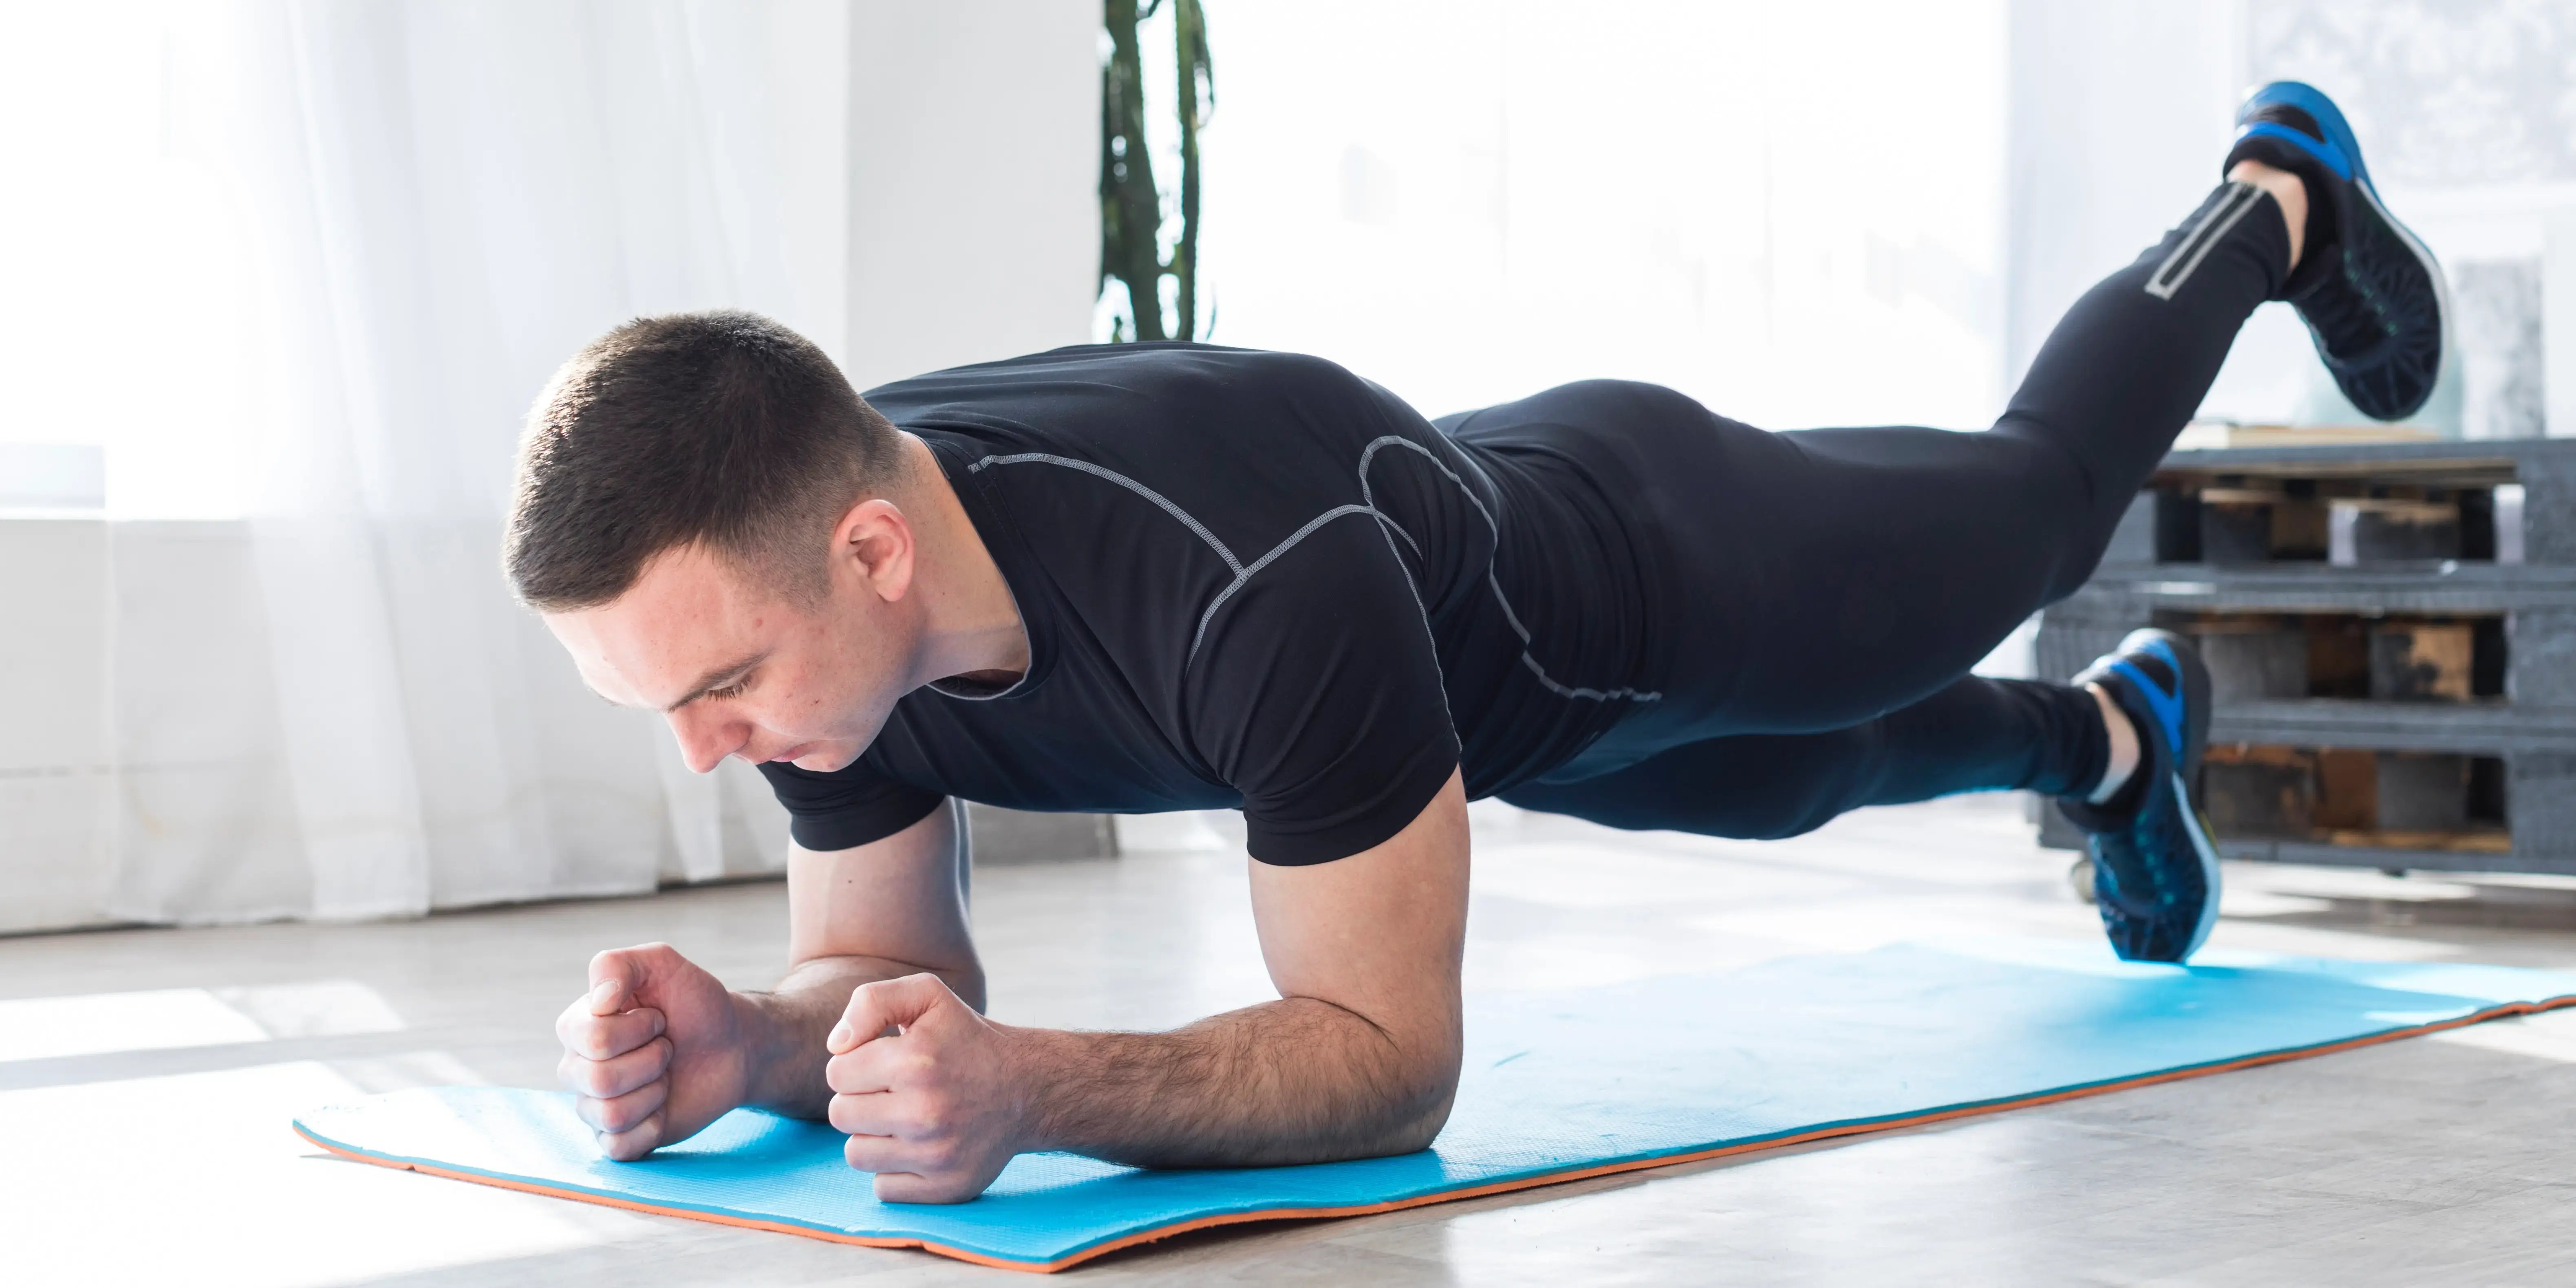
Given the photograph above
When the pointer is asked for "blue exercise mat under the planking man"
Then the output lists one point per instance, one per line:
(1557, 1088)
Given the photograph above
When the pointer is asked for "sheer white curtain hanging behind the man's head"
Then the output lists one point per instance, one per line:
(334, 710)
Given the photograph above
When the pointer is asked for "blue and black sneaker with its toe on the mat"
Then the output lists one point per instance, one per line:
(2152, 859)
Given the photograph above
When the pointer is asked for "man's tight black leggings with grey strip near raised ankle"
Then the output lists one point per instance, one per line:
(1828, 591)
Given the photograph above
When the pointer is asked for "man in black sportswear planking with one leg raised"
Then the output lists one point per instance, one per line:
(1150, 578)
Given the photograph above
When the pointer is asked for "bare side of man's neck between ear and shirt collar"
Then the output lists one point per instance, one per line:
(975, 627)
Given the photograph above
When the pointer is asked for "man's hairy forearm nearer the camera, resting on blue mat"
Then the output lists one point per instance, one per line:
(1279, 1083)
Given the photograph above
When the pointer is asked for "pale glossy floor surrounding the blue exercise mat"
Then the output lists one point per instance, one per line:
(143, 1137)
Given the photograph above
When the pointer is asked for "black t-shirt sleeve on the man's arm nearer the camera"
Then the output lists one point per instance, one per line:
(1315, 692)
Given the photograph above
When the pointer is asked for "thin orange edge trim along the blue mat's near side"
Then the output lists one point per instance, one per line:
(1472, 1191)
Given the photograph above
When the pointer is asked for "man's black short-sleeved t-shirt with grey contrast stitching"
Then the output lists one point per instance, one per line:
(1251, 581)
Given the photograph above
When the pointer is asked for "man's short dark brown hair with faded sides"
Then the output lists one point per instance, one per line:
(715, 429)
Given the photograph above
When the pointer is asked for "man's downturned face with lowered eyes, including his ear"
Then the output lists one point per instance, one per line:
(743, 671)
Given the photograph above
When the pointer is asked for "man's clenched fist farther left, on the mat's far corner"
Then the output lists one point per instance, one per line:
(656, 1050)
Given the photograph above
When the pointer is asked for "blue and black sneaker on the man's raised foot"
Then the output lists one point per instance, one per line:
(2369, 290)
